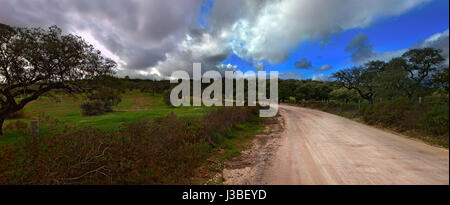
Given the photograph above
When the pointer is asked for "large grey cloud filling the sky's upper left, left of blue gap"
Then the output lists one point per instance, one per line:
(139, 32)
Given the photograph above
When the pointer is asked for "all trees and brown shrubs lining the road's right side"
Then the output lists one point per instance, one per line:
(409, 94)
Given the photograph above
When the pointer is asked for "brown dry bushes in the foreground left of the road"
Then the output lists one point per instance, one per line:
(163, 151)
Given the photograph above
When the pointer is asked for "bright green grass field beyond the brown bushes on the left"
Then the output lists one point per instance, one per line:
(65, 108)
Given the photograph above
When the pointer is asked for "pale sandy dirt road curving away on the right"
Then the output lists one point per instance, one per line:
(321, 148)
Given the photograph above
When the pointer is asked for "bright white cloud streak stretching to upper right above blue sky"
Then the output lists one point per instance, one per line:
(279, 26)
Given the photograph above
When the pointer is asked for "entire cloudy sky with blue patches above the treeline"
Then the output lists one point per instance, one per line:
(299, 38)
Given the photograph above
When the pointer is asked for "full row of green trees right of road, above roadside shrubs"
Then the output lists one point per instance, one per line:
(417, 73)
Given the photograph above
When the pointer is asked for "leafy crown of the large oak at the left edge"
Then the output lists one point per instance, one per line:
(34, 61)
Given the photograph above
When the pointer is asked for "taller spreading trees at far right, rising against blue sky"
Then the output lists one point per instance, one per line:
(417, 73)
